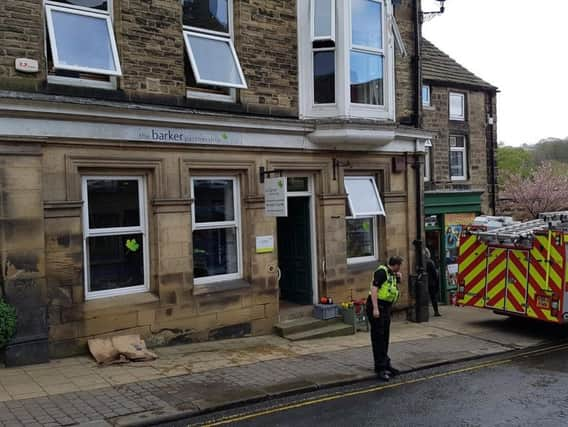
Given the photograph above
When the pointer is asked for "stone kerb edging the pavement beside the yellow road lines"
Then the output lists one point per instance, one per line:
(170, 414)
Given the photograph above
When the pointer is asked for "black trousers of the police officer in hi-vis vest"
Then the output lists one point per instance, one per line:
(380, 333)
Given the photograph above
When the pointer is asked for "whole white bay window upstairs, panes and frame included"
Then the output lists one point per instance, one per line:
(346, 58)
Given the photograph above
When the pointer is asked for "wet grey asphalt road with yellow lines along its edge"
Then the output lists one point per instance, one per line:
(526, 389)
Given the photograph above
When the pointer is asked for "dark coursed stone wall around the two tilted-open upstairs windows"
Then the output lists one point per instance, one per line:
(151, 50)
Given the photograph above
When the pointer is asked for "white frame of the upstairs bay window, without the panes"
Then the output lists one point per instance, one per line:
(342, 106)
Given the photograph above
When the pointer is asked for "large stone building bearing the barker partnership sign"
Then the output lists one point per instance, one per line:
(133, 134)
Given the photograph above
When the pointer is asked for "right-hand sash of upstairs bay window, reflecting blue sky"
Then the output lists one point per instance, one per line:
(366, 55)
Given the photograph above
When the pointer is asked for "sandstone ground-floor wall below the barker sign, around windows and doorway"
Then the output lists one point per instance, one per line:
(175, 310)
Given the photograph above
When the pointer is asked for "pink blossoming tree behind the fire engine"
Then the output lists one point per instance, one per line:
(542, 191)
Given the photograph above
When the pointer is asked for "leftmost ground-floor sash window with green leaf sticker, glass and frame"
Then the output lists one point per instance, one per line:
(115, 238)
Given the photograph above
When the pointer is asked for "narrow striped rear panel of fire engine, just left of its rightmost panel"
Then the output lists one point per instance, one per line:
(517, 281)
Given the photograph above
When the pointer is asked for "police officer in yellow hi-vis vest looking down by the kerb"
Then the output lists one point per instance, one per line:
(382, 295)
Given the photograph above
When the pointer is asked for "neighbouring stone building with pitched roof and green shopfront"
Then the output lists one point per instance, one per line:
(460, 171)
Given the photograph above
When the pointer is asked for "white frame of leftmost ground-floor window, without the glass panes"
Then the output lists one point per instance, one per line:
(115, 231)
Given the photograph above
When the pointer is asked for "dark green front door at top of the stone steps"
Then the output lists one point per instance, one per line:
(295, 252)
